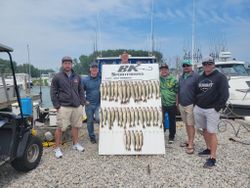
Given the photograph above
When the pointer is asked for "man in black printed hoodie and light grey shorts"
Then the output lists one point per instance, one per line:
(212, 92)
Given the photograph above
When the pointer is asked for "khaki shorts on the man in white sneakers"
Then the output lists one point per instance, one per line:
(67, 116)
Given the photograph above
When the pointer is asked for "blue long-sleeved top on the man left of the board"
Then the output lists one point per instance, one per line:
(92, 88)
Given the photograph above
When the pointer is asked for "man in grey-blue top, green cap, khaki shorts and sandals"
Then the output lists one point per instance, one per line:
(186, 96)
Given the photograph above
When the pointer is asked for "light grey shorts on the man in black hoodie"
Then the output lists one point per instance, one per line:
(206, 119)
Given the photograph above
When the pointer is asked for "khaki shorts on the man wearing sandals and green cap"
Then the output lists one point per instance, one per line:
(187, 114)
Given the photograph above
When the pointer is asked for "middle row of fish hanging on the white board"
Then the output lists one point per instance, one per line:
(130, 116)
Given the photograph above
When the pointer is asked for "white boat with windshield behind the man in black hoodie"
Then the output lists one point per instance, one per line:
(238, 104)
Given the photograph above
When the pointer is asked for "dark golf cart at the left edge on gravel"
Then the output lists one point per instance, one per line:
(18, 145)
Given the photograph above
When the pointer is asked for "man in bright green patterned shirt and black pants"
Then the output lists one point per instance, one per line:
(168, 89)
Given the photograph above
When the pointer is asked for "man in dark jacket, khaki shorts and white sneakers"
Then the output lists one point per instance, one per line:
(67, 96)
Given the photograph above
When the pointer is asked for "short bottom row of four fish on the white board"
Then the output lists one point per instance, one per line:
(133, 139)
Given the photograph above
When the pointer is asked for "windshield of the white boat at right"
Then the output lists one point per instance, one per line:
(233, 69)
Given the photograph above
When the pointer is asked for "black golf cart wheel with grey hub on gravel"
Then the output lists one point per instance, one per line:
(31, 156)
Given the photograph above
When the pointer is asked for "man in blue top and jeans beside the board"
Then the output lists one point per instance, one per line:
(91, 85)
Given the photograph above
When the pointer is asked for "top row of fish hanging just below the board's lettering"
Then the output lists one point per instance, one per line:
(123, 91)
